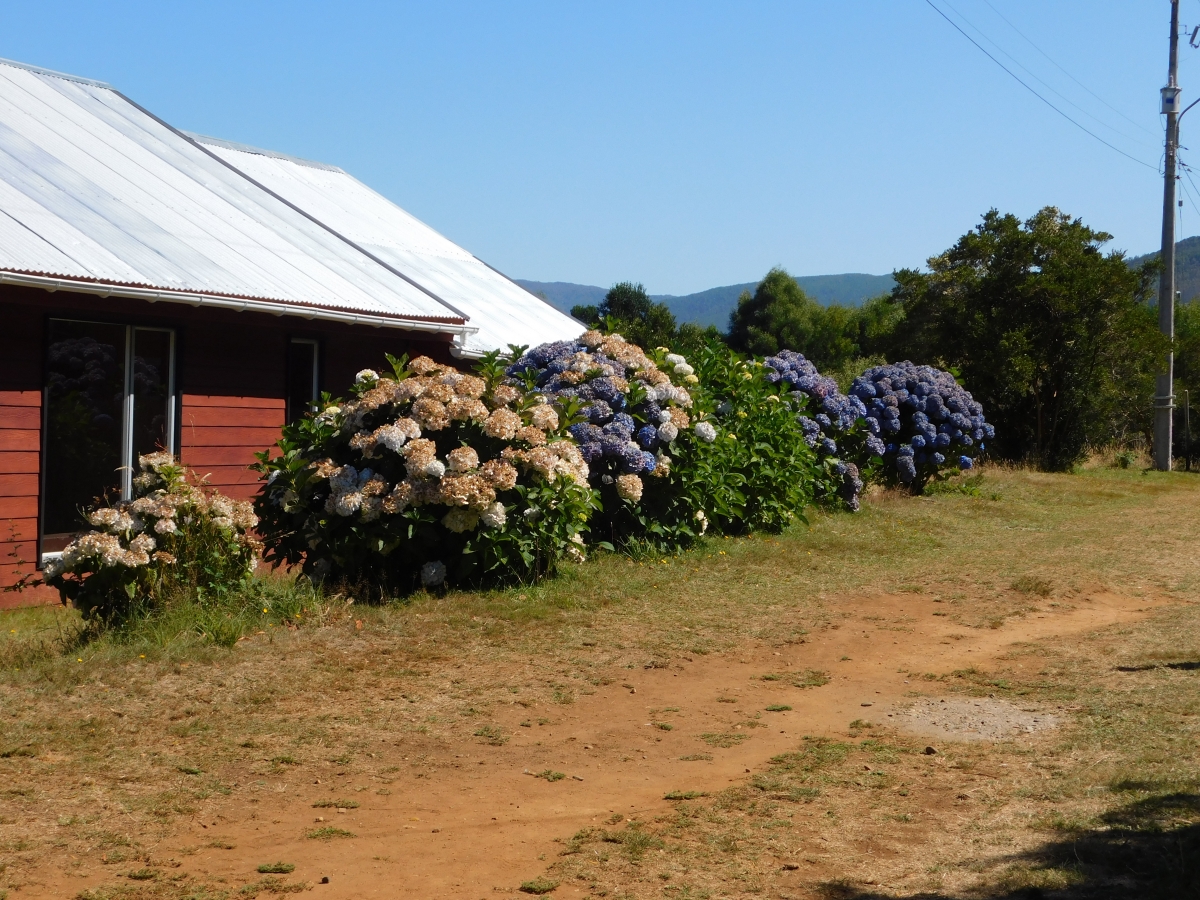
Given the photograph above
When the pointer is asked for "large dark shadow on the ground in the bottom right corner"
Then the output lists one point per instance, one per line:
(1144, 850)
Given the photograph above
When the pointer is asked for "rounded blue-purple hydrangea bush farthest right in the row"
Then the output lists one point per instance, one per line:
(931, 423)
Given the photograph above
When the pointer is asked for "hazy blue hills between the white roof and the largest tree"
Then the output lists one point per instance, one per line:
(713, 307)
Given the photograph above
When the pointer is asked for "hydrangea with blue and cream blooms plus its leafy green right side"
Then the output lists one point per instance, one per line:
(676, 448)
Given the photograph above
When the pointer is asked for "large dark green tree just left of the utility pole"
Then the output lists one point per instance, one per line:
(1058, 340)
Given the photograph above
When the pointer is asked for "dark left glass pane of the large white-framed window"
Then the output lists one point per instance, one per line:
(86, 389)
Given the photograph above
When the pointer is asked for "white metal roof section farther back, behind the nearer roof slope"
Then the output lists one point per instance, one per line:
(503, 311)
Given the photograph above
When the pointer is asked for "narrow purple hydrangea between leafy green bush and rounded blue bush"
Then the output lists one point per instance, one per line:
(833, 425)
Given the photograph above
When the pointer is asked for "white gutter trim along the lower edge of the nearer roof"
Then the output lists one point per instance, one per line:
(229, 303)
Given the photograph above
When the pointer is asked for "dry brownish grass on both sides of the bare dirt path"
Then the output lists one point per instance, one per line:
(105, 747)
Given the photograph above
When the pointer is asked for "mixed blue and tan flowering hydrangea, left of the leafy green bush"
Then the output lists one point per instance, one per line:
(640, 433)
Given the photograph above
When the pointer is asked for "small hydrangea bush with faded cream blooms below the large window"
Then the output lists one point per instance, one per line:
(172, 535)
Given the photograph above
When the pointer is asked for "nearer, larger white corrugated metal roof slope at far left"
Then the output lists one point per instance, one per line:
(95, 189)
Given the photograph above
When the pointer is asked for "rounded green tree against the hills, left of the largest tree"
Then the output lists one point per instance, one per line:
(781, 316)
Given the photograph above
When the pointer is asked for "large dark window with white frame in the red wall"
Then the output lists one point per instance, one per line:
(110, 398)
